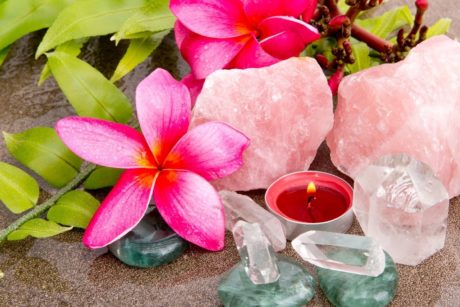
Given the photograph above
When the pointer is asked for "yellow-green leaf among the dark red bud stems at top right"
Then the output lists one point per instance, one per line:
(384, 25)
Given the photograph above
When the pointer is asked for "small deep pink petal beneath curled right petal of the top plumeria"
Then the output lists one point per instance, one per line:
(283, 45)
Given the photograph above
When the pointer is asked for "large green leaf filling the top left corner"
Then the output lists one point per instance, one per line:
(20, 17)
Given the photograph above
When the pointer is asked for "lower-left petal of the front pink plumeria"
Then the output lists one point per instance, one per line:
(122, 209)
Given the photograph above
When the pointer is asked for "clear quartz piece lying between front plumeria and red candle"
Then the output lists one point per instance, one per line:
(241, 207)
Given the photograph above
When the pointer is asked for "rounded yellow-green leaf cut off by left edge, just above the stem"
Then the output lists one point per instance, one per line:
(18, 190)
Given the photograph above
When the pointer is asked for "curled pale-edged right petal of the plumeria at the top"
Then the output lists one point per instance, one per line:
(274, 25)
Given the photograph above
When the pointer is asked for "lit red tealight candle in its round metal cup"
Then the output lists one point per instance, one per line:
(311, 200)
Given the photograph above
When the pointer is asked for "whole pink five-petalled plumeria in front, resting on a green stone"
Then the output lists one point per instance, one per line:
(167, 162)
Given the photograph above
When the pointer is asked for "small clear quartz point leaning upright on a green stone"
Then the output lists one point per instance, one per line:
(257, 255)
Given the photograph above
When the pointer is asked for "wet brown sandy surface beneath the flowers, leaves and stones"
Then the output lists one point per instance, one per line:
(61, 272)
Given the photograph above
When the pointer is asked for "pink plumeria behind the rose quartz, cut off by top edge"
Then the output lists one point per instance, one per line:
(216, 34)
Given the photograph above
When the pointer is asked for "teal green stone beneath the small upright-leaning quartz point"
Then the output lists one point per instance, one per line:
(295, 287)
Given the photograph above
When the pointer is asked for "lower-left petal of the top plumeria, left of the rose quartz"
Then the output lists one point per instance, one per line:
(206, 55)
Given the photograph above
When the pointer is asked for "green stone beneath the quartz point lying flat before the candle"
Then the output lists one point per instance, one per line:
(345, 289)
